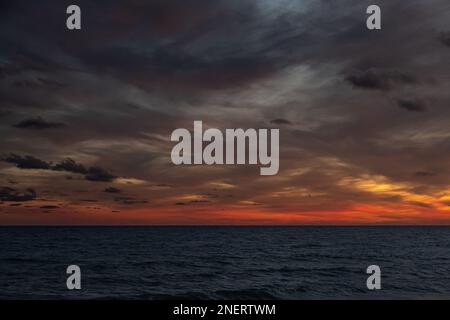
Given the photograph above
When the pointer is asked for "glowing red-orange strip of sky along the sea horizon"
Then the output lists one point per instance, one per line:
(358, 214)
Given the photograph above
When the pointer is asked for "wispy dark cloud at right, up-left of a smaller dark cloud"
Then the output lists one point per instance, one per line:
(376, 79)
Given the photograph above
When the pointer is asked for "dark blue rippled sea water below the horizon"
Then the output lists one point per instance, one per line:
(225, 262)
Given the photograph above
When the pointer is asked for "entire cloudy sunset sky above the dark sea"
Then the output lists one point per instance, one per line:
(86, 116)
